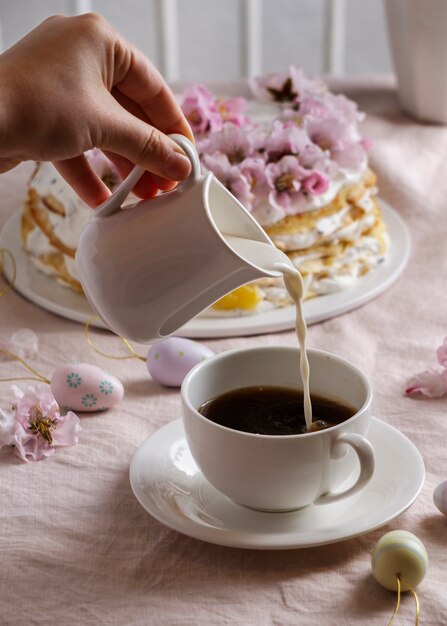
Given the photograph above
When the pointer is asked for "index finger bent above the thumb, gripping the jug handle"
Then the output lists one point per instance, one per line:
(138, 80)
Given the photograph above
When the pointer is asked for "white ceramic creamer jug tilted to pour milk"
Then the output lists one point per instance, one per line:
(151, 267)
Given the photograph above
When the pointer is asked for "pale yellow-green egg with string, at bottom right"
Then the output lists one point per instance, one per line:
(399, 553)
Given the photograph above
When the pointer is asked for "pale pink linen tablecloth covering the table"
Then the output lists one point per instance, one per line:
(78, 549)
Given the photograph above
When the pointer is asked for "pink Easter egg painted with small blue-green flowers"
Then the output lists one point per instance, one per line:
(83, 387)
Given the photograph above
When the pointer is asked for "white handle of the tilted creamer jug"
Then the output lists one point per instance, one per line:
(113, 204)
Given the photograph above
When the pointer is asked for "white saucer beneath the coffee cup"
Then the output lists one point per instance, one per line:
(169, 486)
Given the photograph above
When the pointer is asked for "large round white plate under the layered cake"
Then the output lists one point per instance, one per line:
(48, 294)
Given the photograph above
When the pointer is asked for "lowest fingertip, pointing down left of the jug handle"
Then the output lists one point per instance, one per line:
(79, 174)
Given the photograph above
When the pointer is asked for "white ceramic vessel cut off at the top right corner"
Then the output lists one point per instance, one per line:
(418, 39)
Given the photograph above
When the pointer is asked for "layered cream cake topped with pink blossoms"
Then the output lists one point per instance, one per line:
(294, 157)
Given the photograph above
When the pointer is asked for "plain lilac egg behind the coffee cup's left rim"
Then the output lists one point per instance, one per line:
(170, 360)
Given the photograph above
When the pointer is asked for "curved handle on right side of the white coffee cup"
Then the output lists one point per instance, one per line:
(365, 454)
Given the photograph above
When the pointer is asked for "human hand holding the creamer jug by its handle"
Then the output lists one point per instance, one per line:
(74, 83)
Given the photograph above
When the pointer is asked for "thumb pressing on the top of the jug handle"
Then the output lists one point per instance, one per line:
(126, 135)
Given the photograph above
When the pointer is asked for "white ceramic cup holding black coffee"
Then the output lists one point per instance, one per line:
(271, 472)
